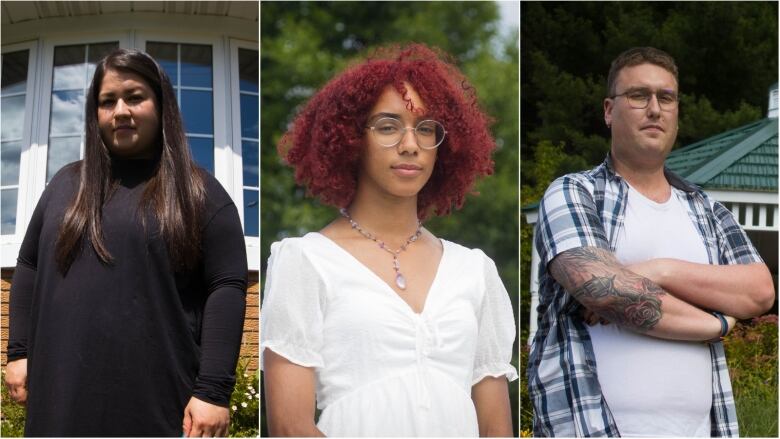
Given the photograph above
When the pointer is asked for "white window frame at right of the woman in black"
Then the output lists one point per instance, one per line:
(235, 158)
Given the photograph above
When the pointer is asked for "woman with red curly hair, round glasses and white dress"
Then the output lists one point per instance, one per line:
(389, 329)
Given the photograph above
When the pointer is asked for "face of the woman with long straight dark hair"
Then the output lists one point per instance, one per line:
(128, 115)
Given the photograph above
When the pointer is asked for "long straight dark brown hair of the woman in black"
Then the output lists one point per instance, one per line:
(175, 193)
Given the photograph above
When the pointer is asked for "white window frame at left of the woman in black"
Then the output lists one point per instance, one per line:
(25, 199)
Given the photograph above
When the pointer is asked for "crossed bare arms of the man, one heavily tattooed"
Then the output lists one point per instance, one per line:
(663, 298)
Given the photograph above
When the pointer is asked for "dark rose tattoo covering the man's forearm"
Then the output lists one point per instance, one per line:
(597, 280)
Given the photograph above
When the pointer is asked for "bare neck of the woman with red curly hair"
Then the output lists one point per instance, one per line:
(389, 218)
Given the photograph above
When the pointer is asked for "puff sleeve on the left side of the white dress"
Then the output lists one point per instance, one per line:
(292, 309)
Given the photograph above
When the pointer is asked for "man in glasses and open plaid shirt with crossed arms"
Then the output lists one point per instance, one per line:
(632, 244)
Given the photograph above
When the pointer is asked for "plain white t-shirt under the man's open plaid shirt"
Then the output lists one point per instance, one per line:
(655, 387)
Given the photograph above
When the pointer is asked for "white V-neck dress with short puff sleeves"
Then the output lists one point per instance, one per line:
(382, 369)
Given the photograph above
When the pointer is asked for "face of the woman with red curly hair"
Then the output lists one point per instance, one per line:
(401, 170)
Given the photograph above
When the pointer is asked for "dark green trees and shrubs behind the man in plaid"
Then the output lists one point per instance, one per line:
(726, 53)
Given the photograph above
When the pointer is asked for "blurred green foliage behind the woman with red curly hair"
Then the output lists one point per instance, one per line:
(304, 44)
